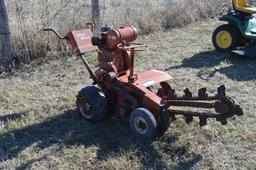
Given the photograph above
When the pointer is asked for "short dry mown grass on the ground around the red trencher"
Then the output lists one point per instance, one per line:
(40, 128)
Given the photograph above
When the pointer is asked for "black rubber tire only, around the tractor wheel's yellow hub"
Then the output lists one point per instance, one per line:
(235, 34)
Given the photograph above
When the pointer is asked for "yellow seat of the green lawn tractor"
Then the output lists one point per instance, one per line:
(242, 6)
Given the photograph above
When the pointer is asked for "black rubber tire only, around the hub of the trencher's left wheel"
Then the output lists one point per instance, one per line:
(98, 101)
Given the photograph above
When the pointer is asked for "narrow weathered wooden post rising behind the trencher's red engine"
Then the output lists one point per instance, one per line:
(96, 13)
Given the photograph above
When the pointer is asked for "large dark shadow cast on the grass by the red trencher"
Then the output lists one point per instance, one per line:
(112, 138)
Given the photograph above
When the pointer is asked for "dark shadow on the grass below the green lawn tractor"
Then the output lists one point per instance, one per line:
(239, 68)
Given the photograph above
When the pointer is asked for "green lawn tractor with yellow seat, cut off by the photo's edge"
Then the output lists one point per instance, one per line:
(239, 34)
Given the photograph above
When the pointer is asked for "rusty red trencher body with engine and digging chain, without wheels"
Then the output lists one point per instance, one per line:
(128, 89)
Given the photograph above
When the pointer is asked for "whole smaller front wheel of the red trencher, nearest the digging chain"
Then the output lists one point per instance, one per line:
(143, 124)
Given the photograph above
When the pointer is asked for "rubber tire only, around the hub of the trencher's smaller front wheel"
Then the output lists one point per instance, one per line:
(151, 121)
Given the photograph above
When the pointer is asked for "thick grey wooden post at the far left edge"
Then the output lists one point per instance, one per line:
(6, 50)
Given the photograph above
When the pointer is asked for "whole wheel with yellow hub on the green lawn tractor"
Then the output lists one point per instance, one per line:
(226, 38)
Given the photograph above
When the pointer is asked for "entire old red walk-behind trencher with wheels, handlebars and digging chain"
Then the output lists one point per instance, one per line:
(144, 100)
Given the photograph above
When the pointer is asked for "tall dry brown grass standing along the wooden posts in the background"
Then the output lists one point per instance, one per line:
(29, 17)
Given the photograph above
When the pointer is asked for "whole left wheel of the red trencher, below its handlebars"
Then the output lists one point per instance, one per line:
(92, 104)
